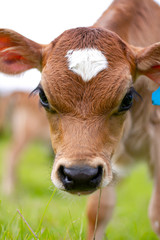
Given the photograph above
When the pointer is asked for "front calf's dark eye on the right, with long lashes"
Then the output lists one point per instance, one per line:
(128, 100)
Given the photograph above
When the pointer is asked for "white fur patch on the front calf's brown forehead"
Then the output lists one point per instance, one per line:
(87, 62)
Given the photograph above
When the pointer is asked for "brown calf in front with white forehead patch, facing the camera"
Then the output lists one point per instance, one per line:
(90, 78)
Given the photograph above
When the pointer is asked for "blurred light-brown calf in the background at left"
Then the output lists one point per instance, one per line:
(28, 123)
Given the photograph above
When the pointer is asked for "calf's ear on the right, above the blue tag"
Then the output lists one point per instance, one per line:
(148, 62)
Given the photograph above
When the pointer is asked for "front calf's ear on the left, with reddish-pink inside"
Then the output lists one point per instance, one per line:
(18, 53)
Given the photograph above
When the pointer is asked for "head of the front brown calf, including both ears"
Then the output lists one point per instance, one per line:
(87, 87)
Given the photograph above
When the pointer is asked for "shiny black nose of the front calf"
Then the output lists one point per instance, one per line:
(80, 178)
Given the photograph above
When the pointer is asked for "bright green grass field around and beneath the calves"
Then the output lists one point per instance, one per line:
(64, 217)
